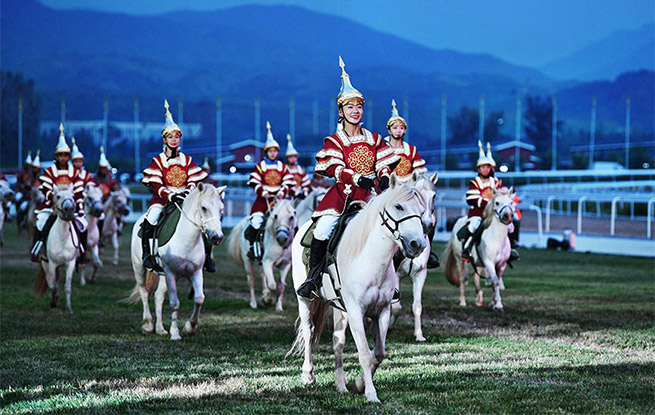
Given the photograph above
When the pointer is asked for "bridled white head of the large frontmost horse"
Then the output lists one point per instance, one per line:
(402, 215)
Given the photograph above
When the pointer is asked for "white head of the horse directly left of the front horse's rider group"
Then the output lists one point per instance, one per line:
(210, 210)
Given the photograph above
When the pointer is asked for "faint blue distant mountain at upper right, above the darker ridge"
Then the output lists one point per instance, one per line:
(622, 51)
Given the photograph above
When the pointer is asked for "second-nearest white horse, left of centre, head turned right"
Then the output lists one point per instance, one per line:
(182, 257)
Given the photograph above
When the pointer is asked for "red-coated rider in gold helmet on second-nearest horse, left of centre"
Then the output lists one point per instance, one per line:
(171, 175)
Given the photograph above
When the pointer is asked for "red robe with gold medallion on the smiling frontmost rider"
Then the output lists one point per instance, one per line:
(346, 159)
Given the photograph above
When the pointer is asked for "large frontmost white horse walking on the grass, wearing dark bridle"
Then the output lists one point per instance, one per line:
(364, 267)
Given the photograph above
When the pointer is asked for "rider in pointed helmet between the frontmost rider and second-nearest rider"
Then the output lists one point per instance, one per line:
(271, 180)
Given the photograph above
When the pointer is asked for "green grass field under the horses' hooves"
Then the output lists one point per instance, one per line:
(577, 336)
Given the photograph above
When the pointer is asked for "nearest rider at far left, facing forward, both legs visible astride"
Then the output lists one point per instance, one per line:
(60, 173)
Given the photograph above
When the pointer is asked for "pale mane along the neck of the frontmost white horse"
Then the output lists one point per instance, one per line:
(358, 230)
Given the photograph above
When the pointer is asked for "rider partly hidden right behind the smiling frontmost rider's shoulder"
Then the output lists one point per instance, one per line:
(410, 161)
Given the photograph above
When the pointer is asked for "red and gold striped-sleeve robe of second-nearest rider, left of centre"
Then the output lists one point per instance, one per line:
(167, 176)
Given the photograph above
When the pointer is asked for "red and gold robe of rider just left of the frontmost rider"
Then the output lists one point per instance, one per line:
(270, 178)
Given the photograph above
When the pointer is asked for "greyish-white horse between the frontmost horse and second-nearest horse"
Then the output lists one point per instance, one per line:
(279, 231)
